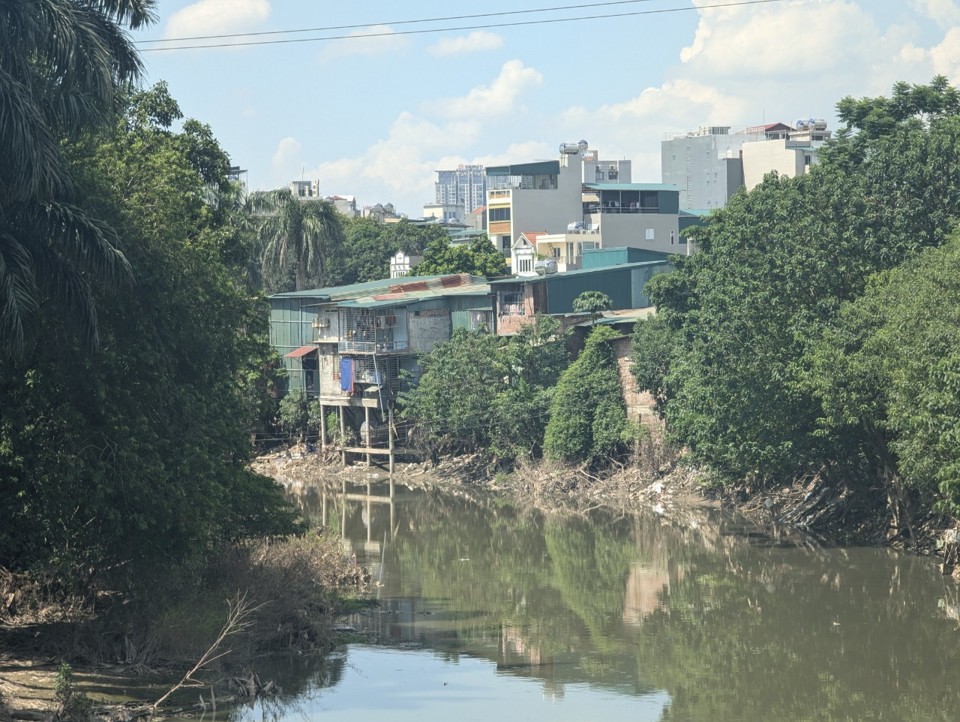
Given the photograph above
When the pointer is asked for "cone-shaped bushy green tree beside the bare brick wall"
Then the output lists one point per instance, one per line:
(588, 418)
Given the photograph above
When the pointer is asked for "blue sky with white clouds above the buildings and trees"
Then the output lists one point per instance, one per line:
(371, 98)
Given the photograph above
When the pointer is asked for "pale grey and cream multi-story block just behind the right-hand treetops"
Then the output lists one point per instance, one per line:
(710, 164)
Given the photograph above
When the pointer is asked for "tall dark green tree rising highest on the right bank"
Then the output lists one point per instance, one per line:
(773, 269)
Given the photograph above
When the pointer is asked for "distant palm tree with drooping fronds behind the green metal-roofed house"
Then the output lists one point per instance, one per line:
(305, 233)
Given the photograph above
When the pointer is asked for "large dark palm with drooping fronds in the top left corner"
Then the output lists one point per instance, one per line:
(62, 63)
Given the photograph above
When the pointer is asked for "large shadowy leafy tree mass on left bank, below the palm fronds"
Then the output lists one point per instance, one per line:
(118, 460)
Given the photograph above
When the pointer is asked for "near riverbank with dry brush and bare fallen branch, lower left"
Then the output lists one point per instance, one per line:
(125, 659)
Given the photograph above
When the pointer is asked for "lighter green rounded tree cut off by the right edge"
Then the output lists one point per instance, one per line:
(888, 376)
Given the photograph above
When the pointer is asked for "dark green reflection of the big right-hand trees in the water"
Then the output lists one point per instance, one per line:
(812, 634)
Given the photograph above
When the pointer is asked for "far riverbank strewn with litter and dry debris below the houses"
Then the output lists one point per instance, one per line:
(662, 484)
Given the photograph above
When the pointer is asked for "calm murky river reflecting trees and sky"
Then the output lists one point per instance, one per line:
(490, 612)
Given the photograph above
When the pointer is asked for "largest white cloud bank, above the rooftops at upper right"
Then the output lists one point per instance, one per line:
(748, 65)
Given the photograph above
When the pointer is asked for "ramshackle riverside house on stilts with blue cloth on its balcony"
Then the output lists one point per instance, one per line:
(354, 348)
